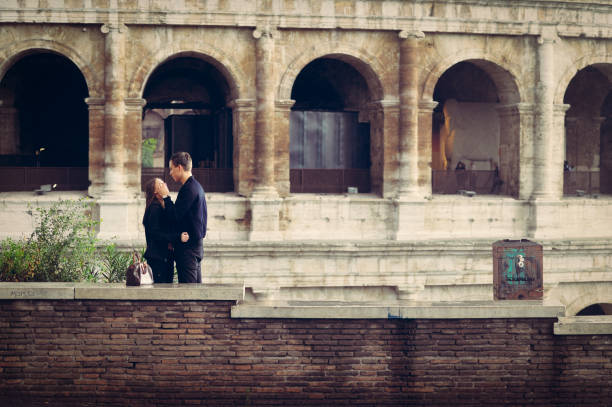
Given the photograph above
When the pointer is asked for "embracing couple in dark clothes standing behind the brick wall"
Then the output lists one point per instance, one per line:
(174, 231)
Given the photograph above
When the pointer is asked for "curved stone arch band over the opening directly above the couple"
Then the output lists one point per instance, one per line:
(229, 69)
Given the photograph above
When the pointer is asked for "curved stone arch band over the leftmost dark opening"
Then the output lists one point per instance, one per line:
(10, 55)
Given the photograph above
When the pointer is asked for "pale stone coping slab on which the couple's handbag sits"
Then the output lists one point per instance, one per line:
(119, 291)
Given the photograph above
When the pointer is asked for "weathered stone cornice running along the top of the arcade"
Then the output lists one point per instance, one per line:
(493, 17)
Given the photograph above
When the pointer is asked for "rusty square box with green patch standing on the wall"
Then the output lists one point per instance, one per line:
(517, 270)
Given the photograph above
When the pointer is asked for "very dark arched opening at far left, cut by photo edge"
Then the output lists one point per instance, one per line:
(44, 137)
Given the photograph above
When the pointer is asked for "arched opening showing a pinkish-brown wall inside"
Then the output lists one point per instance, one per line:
(467, 132)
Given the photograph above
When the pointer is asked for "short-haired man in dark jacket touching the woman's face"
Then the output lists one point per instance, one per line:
(191, 217)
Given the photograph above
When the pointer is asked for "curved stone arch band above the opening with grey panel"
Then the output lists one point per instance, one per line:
(367, 65)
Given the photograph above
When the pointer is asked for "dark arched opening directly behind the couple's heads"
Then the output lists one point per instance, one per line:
(187, 110)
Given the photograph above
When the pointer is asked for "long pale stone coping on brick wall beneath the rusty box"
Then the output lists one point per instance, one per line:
(400, 310)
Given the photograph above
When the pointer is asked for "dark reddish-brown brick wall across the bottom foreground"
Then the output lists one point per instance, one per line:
(168, 353)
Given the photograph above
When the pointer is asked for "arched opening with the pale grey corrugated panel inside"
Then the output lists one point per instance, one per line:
(329, 145)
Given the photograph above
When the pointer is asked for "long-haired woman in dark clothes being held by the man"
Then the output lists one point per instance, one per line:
(159, 231)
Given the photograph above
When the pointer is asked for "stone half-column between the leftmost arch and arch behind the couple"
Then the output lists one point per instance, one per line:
(114, 110)
